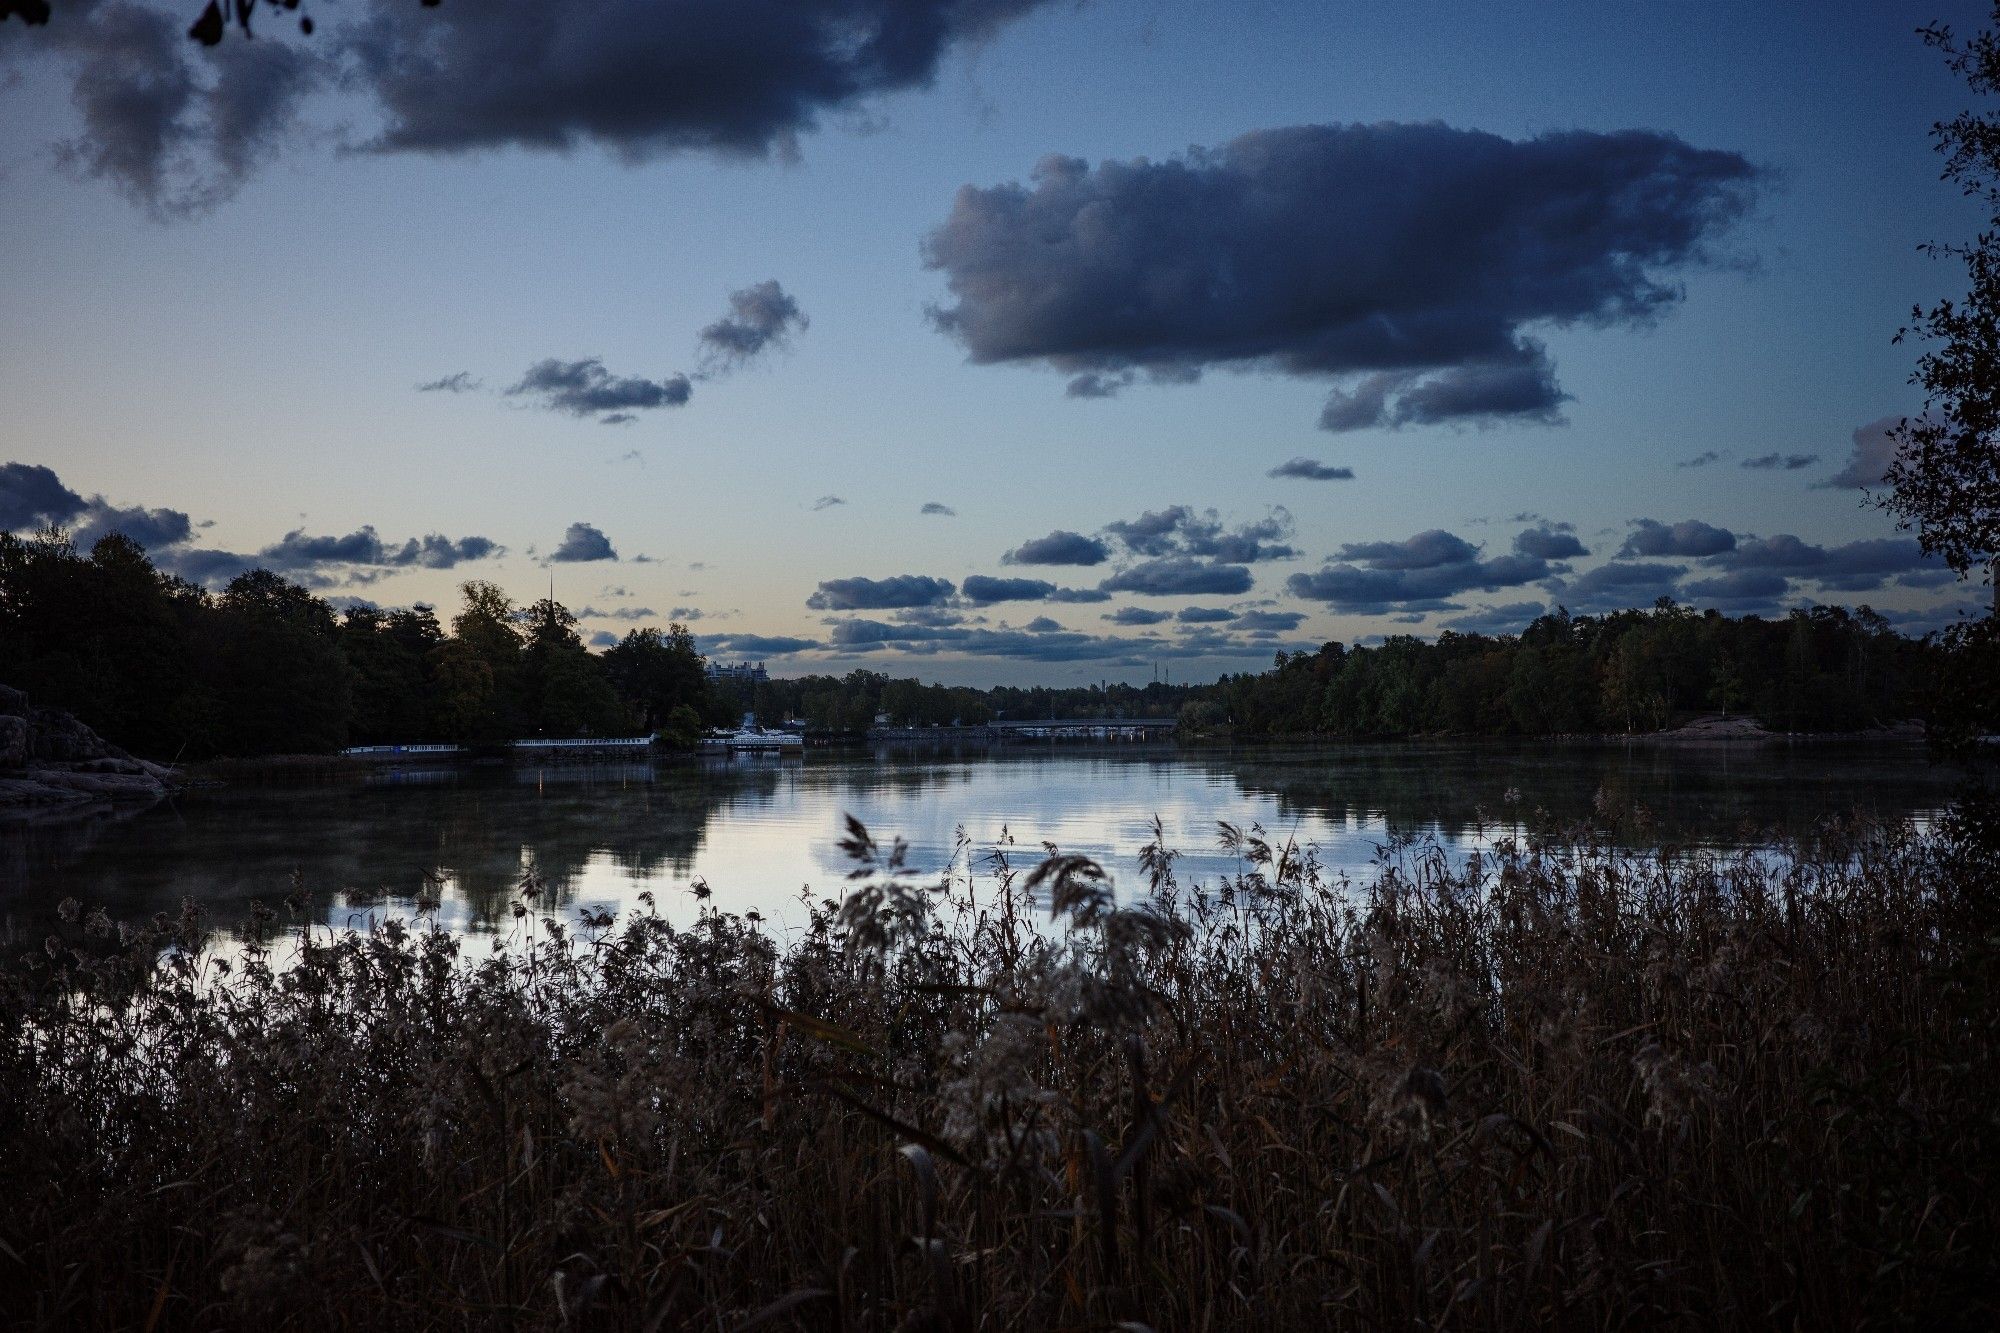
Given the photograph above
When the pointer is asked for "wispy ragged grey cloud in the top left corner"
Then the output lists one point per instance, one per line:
(175, 127)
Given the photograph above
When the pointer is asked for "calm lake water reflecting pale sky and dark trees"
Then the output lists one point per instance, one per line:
(761, 832)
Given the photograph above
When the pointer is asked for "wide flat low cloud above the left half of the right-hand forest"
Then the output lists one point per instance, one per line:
(1419, 573)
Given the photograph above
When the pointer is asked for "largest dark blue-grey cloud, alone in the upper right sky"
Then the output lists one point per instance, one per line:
(1403, 261)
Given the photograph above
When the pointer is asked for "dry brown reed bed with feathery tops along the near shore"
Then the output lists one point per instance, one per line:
(1557, 1086)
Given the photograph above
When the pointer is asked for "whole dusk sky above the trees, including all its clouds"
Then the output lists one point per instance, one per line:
(987, 341)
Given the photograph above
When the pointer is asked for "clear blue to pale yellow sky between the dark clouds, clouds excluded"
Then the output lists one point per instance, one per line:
(255, 363)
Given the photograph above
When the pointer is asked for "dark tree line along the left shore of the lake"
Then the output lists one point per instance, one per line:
(265, 668)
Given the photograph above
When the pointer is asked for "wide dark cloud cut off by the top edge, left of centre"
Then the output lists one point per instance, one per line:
(649, 77)
